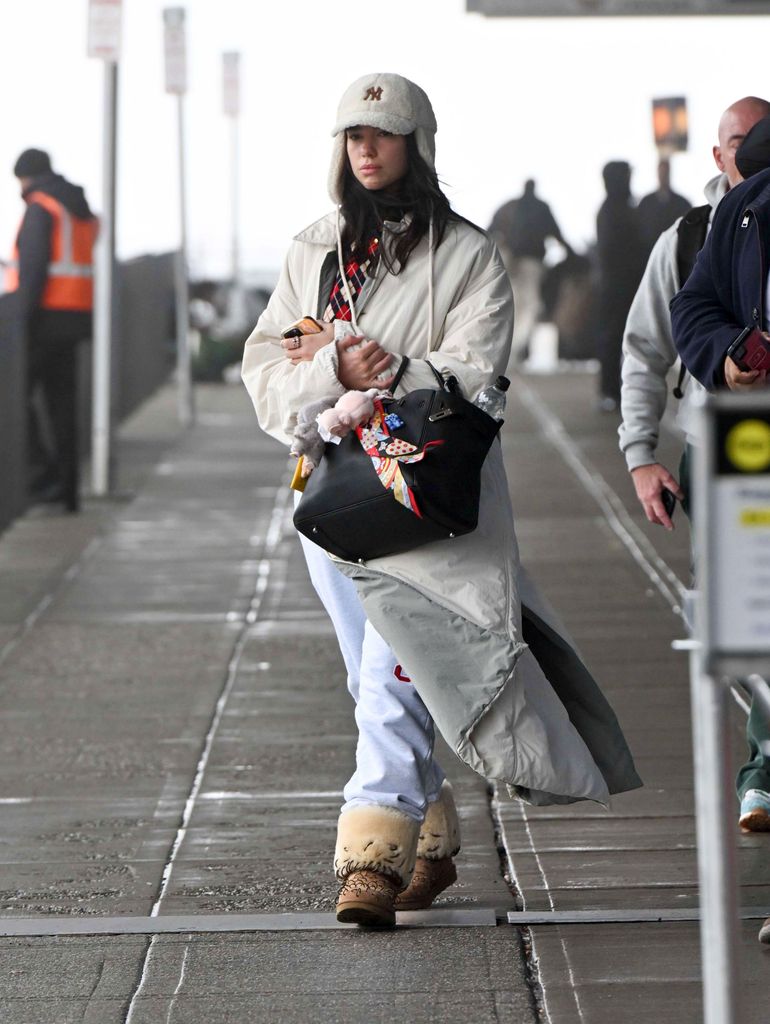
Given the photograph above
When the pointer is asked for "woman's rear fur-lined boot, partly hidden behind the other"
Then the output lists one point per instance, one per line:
(440, 842)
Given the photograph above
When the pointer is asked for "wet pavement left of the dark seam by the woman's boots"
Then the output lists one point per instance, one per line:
(178, 735)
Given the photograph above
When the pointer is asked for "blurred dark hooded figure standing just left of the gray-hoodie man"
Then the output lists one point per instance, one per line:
(621, 258)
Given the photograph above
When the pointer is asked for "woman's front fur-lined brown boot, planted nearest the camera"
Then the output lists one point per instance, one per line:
(374, 860)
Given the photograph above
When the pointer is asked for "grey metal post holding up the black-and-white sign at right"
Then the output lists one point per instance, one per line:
(716, 844)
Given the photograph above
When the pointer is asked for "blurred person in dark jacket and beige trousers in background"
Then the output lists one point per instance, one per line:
(522, 229)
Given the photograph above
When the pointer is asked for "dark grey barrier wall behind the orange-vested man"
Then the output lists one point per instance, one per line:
(143, 359)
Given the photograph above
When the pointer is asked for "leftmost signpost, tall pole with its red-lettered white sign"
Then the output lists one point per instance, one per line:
(104, 44)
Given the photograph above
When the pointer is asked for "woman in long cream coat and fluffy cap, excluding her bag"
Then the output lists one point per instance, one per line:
(415, 279)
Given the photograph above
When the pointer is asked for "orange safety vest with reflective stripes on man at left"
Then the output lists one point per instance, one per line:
(70, 284)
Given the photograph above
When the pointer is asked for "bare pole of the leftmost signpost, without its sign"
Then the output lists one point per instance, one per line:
(102, 468)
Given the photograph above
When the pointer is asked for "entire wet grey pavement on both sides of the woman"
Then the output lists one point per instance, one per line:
(177, 735)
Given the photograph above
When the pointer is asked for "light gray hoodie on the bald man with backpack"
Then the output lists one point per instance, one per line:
(649, 352)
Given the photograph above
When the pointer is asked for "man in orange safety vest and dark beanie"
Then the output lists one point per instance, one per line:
(51, 276)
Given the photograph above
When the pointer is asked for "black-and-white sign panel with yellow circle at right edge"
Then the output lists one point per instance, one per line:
(737, 491)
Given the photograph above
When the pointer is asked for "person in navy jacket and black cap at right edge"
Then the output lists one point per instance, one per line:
(718, 304)
